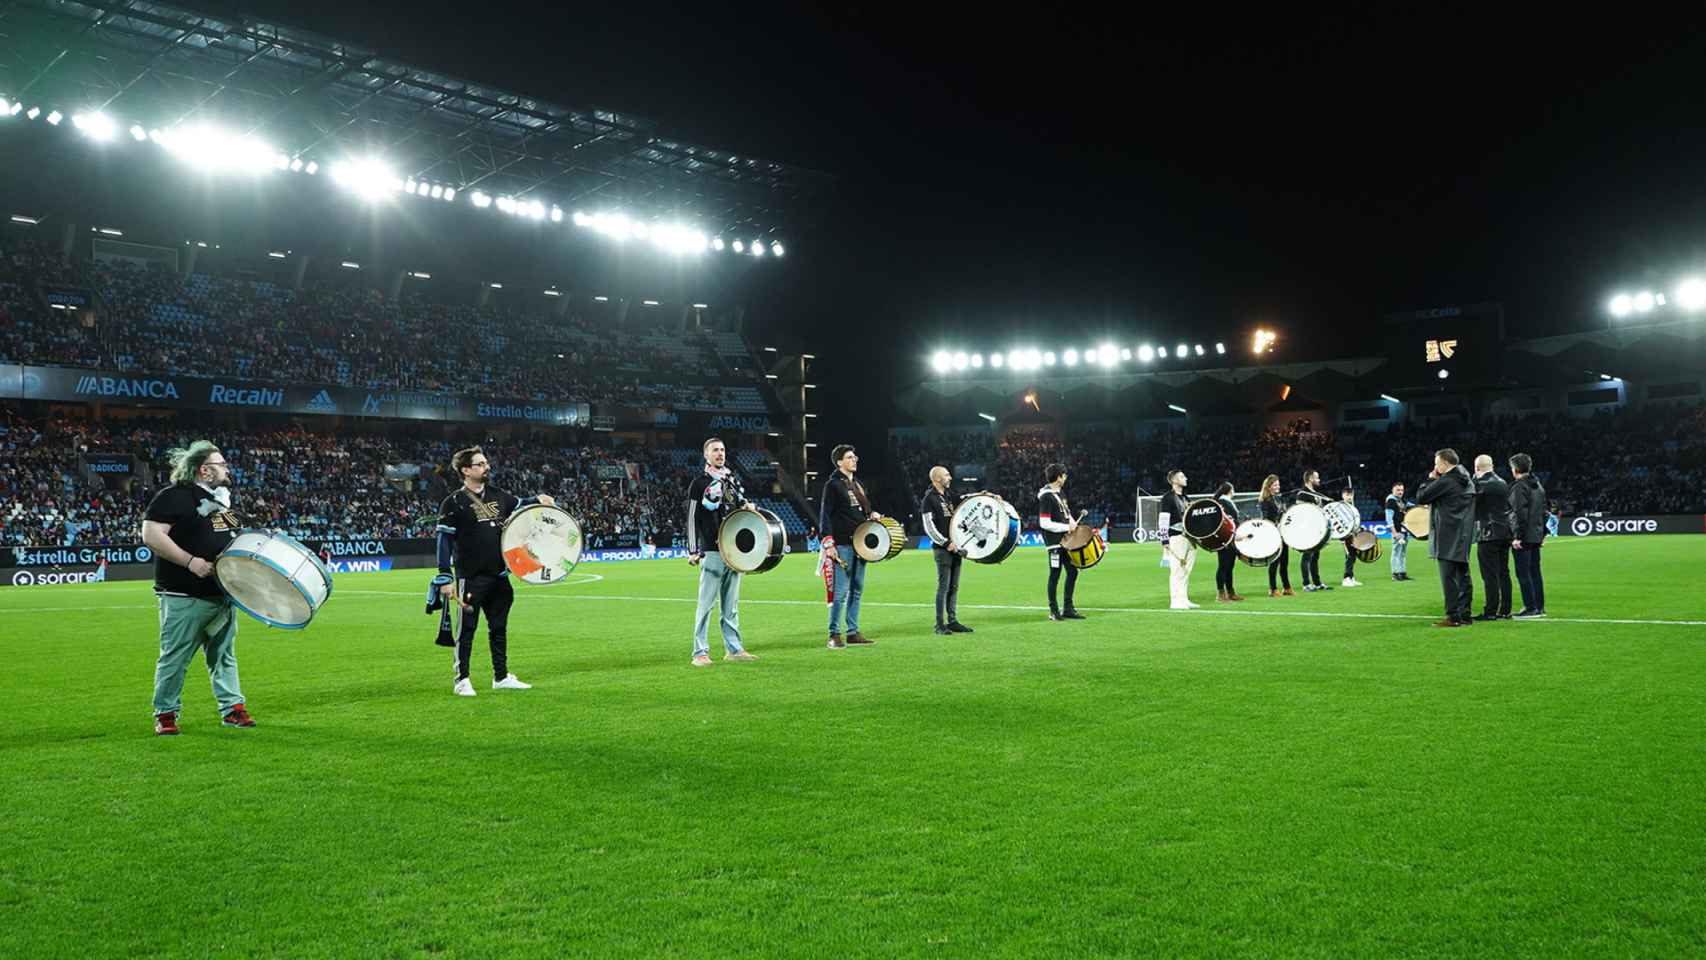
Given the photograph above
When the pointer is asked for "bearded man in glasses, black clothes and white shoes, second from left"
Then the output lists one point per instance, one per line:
(472, 540)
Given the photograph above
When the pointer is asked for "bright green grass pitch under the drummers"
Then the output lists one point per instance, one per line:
(1308, 777)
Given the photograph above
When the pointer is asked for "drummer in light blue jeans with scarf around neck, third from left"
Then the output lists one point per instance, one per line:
(714, 495)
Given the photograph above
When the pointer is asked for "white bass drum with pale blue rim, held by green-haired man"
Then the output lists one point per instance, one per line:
(274, 579)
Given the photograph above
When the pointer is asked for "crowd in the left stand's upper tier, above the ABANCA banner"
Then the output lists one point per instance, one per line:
(154, 321)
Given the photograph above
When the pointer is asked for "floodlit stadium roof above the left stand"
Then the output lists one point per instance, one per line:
(315, 98)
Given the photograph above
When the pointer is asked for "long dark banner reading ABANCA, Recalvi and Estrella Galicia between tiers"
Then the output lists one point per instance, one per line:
(200, 393)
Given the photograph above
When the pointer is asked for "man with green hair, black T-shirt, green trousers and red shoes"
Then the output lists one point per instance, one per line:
(187, 526)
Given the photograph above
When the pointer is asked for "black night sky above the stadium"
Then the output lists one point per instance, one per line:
(1146, 175)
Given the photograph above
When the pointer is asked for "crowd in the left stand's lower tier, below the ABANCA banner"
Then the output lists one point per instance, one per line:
(318, 487)
